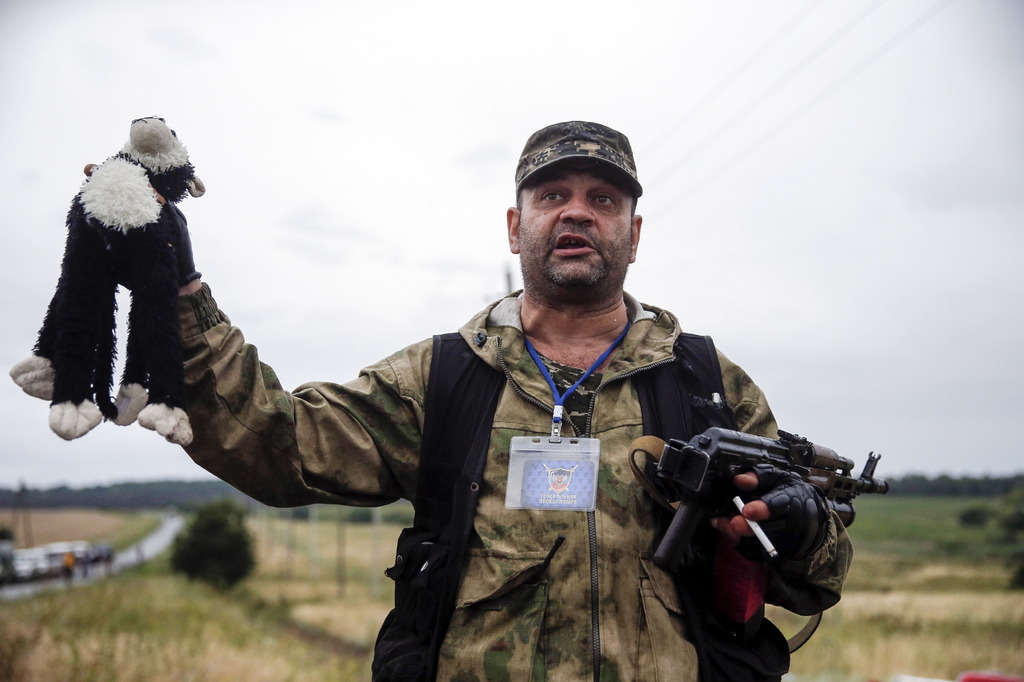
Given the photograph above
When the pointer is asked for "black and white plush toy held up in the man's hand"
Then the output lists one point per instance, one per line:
(123, 229)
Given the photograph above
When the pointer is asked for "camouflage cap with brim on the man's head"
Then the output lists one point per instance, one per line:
(578, 140)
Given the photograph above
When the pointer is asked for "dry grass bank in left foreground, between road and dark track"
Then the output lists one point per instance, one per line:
(156, 629)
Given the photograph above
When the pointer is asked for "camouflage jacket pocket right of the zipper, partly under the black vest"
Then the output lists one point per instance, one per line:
(663, 651)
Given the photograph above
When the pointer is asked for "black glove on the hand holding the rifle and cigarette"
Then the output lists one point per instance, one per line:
(798, 516)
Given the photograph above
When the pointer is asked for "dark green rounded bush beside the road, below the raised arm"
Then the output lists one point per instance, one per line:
(216, 546)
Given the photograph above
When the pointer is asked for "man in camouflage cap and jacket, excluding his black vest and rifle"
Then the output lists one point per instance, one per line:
(564, 592)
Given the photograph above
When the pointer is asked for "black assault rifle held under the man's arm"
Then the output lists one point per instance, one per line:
(699, 473)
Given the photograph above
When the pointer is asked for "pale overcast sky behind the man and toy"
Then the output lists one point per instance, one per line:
(835, 192)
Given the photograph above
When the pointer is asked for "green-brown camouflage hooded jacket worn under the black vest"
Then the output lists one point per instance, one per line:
(603, 610)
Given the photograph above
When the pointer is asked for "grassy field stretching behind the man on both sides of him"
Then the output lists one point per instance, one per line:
(926, 598)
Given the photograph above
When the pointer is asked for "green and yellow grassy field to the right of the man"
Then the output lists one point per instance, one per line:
(925, 598)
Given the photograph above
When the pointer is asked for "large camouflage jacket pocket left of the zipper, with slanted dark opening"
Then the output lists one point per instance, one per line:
(495, 633)
